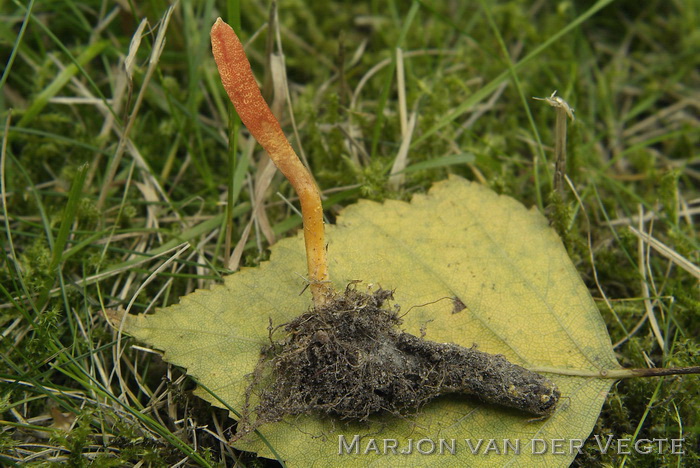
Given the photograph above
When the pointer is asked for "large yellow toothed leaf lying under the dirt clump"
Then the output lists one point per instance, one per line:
(459, 245)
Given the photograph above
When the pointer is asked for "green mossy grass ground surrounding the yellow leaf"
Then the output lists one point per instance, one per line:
(79, 239)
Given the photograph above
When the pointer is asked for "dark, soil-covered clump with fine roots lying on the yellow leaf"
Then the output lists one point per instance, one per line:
(350, 359)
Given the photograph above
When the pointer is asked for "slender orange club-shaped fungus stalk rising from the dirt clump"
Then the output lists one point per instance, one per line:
(242, 89)
